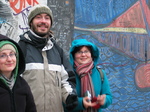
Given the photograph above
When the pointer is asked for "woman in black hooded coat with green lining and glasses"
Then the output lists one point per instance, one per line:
(15, 94)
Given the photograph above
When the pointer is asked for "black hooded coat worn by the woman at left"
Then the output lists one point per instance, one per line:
(20, 98)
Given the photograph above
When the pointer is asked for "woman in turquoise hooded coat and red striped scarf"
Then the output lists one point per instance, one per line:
(93, 94)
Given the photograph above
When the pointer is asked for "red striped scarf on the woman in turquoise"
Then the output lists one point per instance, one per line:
(84, 71)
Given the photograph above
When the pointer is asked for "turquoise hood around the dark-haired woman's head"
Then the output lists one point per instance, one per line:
(84, 42)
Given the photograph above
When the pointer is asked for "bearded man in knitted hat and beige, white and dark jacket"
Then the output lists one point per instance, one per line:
(48, 72)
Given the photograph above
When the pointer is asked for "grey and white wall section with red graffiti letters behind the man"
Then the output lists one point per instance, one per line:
(14, 13)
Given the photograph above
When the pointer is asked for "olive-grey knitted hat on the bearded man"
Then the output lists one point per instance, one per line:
(38, 9)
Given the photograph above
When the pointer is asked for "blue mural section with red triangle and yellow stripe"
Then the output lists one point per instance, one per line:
(121, 30)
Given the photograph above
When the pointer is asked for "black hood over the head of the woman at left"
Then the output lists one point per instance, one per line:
(21, 61)
